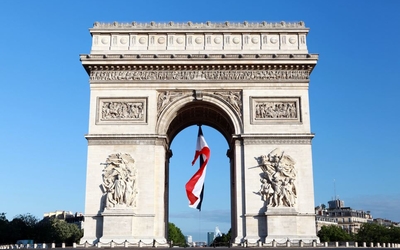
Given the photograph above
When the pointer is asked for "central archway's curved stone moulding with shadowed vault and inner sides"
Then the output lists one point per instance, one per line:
(203, 108)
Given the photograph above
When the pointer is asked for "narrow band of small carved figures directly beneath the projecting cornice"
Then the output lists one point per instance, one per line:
(198, 75)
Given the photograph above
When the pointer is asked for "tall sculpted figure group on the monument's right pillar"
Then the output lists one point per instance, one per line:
(278, 178)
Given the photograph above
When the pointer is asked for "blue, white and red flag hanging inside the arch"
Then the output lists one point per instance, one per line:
(195, 186)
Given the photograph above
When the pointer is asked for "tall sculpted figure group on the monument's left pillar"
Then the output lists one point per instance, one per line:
(119, 182)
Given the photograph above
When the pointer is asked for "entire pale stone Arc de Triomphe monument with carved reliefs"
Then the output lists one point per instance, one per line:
(249, 81)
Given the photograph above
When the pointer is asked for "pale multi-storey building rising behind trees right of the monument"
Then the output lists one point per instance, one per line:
(345, 217)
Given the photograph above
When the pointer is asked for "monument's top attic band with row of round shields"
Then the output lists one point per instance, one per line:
(245, 37)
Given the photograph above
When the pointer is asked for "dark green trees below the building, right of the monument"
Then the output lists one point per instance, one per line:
(369, 232)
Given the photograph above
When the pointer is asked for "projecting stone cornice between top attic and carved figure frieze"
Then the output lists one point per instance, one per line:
(186, 62)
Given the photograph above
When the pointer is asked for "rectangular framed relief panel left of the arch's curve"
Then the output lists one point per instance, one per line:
(121, 110)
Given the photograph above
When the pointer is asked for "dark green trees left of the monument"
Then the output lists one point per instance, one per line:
(47, 230)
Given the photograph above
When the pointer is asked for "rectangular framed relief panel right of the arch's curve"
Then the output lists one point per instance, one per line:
(275, 109)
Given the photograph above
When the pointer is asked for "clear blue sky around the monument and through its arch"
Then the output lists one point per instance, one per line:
(354, 95)
